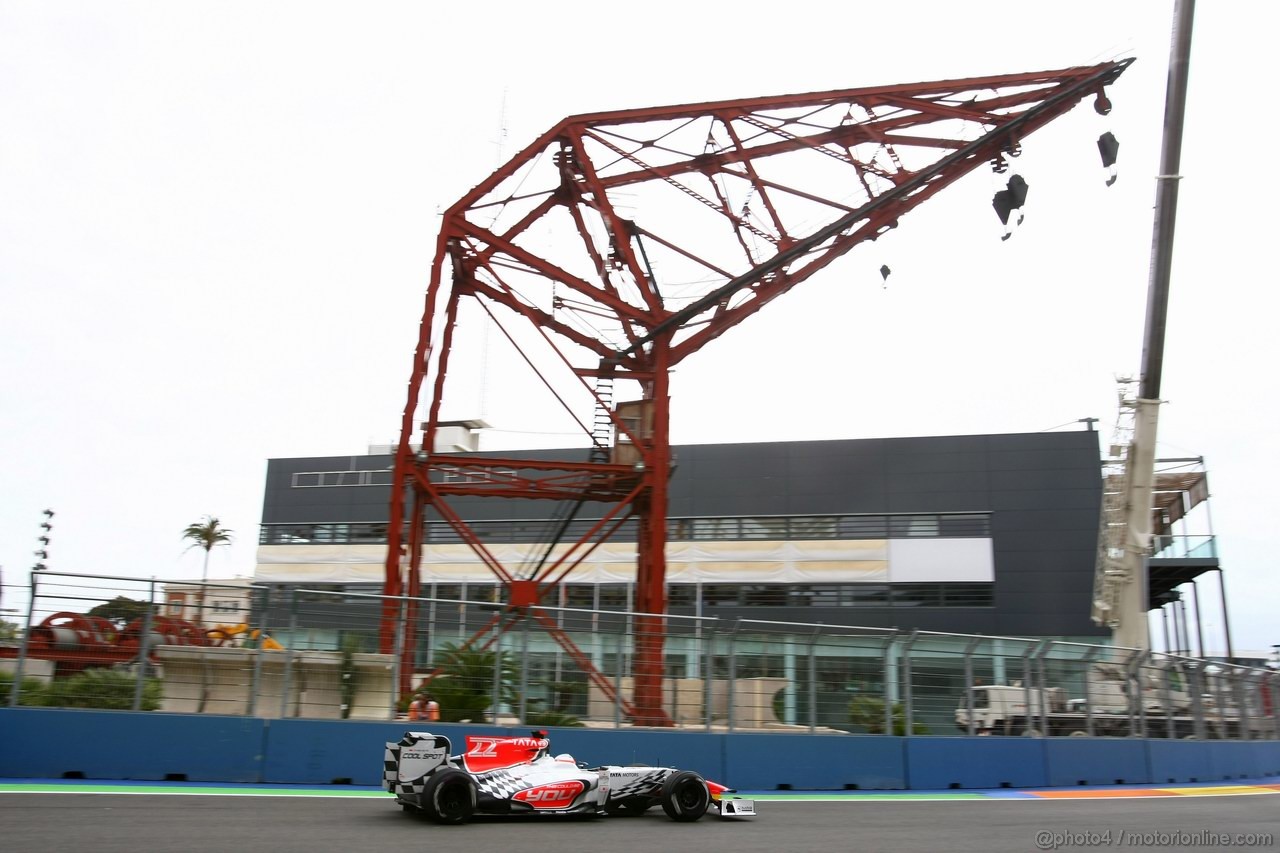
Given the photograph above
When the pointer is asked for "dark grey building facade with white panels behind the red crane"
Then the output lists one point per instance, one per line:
(976, 535)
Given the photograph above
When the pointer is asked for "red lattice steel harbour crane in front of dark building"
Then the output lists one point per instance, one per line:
(620, 244)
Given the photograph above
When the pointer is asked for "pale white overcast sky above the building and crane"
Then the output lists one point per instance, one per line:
(217, 222)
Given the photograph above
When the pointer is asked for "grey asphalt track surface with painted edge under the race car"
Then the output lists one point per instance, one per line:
(157, 819)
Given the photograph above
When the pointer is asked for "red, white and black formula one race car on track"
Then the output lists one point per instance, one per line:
(500, 776)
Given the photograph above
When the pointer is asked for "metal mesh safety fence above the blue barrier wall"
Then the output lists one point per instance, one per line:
(292, 653)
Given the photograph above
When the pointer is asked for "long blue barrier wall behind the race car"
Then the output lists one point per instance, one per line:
(44, 743)
